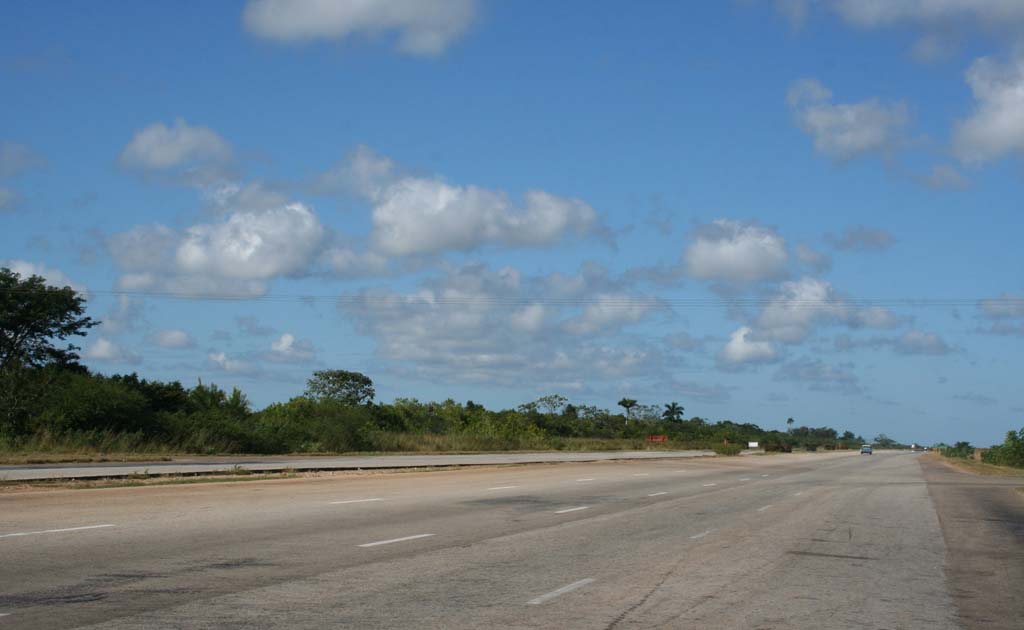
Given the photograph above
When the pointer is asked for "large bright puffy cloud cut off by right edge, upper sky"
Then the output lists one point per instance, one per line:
(997, 127)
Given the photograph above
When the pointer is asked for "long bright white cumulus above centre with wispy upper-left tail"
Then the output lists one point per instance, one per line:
(426, 216)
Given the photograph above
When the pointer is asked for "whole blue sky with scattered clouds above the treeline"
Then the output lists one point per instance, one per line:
(758, 209)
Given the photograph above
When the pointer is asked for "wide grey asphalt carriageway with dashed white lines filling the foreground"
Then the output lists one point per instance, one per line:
(797, 541)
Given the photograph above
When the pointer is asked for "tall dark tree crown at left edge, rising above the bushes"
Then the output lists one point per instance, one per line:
(34, 317)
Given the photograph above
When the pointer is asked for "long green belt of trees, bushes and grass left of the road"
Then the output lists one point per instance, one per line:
(52, 407)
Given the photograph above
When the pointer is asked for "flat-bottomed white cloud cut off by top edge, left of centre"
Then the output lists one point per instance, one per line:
(423, 27)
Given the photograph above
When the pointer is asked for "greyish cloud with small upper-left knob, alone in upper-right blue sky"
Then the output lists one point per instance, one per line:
(845, 132)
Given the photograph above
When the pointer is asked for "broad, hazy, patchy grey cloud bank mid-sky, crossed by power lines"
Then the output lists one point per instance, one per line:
(476, 324)
